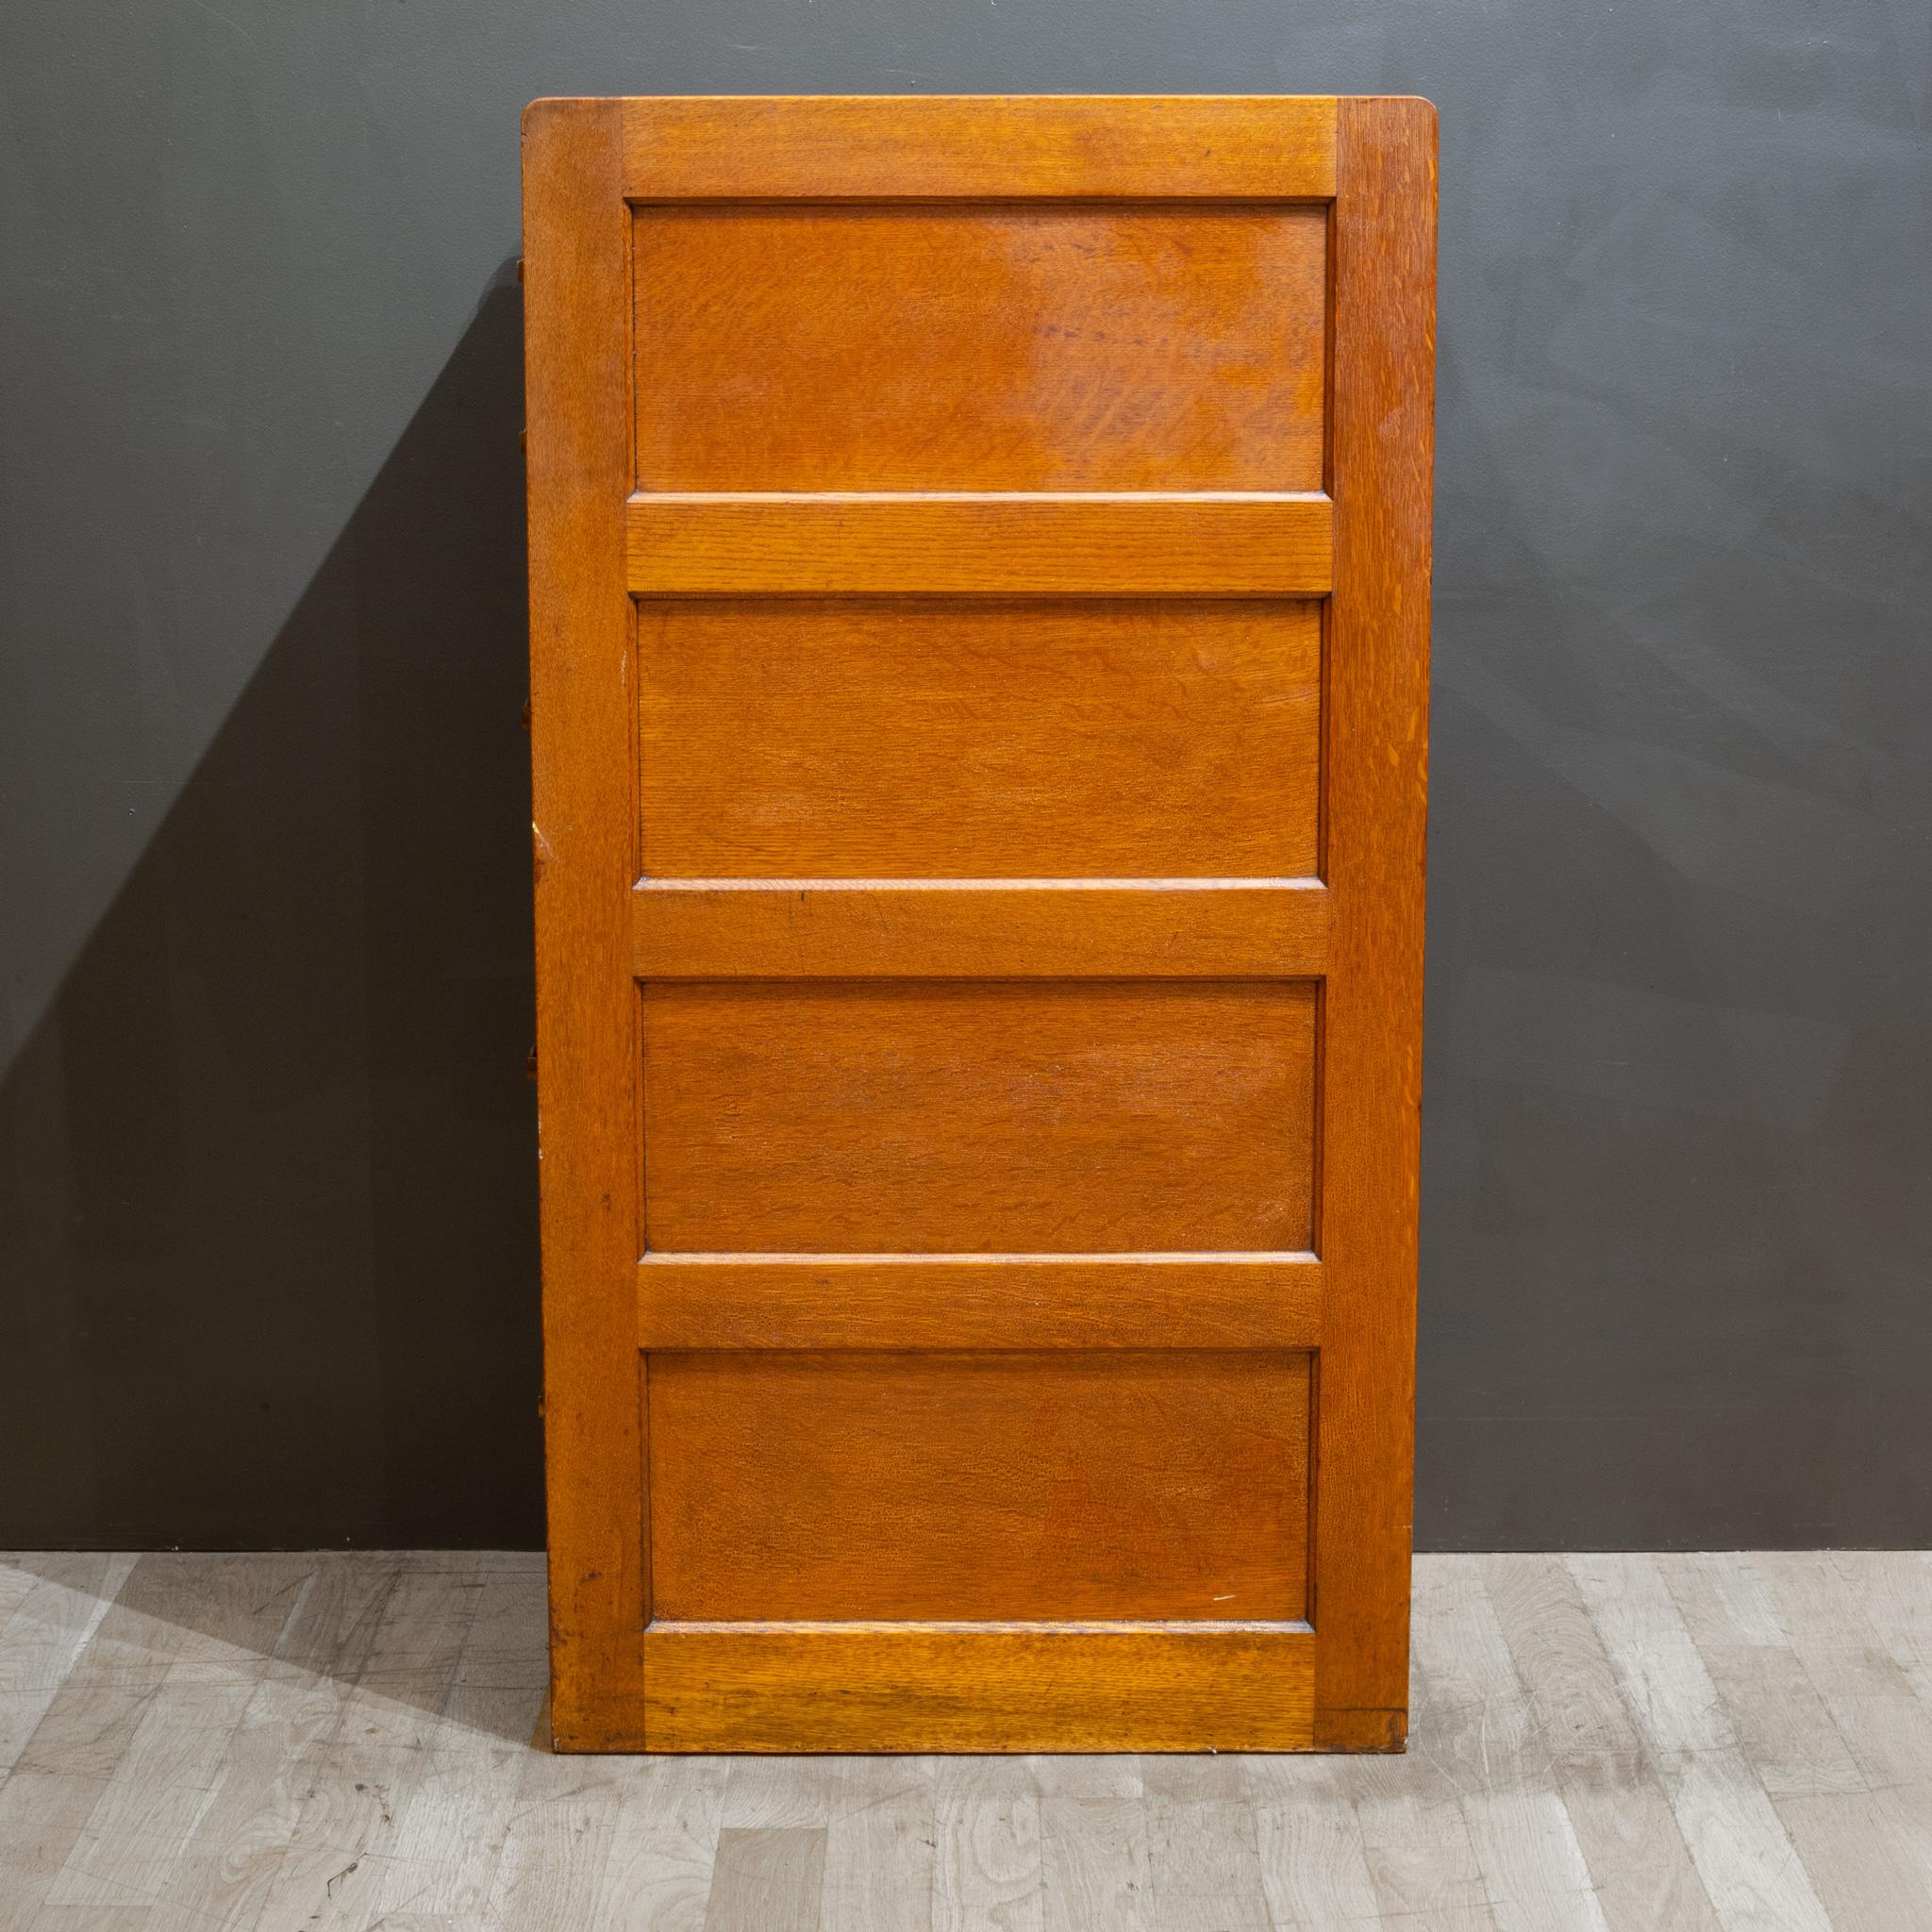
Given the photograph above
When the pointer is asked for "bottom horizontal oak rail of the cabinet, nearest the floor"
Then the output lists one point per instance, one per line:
(876, 1688)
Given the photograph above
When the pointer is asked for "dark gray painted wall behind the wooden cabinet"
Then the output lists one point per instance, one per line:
(268, 1216)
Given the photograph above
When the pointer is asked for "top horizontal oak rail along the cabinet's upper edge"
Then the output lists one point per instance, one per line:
(973, 148)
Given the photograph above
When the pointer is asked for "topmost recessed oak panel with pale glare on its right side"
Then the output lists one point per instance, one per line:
(984, 347)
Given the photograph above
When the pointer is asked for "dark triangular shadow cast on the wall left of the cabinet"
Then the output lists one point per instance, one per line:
(270, 1185)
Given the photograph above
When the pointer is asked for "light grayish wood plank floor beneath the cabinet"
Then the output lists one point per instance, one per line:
(343, 1742)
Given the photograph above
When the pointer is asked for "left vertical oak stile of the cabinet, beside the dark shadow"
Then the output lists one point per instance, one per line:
(577, 347)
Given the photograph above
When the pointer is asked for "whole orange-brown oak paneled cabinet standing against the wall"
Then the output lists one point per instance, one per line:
(980, 664)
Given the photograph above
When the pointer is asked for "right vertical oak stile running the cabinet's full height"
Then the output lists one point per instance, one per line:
(1377, 745)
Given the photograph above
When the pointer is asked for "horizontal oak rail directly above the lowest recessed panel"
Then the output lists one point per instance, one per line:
(979, 1301)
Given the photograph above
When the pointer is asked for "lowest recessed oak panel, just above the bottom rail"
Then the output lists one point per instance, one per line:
(980, 1487)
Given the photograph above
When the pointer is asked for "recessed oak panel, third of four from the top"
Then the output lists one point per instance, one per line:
(959, 1118)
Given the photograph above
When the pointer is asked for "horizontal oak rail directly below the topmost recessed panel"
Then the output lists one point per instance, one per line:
(986, 546)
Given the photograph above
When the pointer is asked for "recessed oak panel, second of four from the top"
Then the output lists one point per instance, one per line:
(979, 741)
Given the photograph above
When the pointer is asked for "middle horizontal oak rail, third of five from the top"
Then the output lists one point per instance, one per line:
(979, 930)
